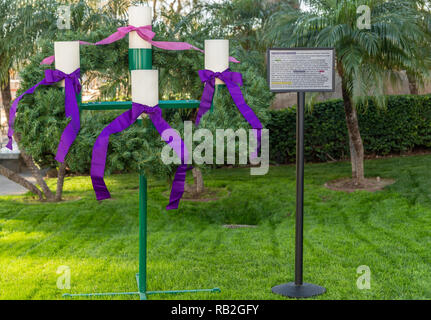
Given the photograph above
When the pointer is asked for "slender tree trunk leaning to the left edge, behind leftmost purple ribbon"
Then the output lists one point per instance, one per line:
(7, 99)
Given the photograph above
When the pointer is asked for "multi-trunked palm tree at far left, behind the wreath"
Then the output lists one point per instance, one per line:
(25, 24)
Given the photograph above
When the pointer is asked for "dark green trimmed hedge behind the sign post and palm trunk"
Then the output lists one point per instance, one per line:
(405, 124)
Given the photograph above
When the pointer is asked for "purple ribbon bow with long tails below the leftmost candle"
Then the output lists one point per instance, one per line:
(72, 88)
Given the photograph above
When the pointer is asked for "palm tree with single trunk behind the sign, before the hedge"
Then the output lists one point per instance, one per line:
(364, 57)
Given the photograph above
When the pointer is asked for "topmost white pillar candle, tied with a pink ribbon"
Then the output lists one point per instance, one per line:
(139, 16)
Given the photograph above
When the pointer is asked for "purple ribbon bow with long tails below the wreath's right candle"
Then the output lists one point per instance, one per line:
(233, 81)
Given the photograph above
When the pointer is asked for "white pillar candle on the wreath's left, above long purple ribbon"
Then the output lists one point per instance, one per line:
(66, 57)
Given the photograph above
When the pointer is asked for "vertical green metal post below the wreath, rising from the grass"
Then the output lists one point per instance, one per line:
(142, 279)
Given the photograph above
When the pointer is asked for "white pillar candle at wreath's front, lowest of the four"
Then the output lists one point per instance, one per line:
(145, 87)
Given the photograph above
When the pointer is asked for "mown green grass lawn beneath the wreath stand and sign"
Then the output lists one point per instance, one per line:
(389, 231)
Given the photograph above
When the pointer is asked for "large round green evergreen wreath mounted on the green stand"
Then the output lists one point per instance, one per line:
(41, 116)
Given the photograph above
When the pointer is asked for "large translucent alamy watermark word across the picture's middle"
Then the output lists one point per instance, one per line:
(203, 153)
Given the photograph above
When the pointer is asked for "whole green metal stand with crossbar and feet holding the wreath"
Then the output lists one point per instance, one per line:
(140, 59)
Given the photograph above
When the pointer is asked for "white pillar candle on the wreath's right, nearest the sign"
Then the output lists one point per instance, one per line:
(217, 56)
